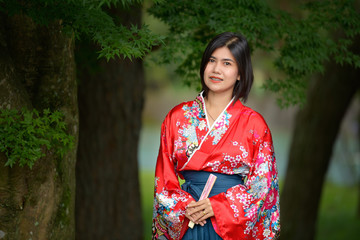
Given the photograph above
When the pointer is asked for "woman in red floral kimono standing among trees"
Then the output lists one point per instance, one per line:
(217, 134)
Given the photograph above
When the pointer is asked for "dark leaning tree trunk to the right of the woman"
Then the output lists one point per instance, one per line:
(315, 132)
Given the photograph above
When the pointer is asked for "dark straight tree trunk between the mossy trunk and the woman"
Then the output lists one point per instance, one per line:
(110, 106)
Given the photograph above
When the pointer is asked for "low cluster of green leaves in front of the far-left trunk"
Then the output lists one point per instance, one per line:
(25, 135)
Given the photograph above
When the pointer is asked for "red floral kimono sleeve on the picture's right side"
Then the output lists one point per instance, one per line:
(252, 210)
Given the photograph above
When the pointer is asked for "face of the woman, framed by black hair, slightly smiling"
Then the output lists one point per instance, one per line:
(221, 72)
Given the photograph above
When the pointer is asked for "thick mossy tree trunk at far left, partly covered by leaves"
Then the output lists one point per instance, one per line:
(37, 70)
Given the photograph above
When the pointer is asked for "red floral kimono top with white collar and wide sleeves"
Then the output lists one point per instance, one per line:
(239, 142)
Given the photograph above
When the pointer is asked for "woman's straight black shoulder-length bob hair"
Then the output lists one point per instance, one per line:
(239, 47)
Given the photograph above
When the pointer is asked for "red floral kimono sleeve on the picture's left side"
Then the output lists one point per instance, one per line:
(169, 200)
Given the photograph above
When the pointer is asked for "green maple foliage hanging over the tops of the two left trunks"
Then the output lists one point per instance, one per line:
(87, 18)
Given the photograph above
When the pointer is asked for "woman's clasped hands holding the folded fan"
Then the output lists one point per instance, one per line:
(199, 211)
